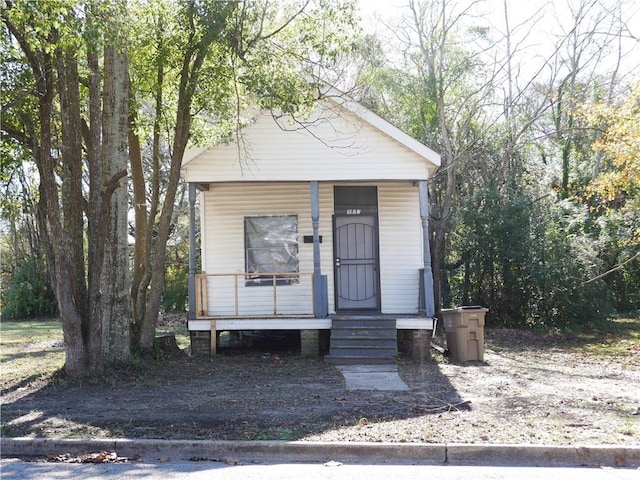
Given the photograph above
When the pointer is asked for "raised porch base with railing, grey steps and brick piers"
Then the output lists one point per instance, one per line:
(228, 302)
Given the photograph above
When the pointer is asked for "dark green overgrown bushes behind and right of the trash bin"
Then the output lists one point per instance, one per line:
(533, 262)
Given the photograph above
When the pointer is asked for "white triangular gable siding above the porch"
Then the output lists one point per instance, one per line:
(335, 149)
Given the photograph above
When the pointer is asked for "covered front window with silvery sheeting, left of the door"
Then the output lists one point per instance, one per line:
(271, 247)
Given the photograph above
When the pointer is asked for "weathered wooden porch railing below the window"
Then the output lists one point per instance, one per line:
(251, 295)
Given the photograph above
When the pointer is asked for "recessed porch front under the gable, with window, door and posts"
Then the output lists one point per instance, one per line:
(383, 266)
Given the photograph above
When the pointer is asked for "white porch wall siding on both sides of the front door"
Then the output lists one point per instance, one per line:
(226, 205)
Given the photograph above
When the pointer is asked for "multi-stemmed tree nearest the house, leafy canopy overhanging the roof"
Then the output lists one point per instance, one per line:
(211, 60)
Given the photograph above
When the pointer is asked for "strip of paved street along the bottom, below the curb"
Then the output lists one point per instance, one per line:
(15, 469)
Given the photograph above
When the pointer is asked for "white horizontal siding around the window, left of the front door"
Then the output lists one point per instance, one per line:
(225, 207)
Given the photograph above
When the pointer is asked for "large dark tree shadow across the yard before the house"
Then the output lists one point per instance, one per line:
(252, 394)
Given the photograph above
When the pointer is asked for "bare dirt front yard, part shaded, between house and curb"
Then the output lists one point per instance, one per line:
(530, 389)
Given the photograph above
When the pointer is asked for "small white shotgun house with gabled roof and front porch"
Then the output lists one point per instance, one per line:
(303, 225)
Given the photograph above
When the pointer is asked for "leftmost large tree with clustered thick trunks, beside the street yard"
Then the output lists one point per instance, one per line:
(50, 37)
